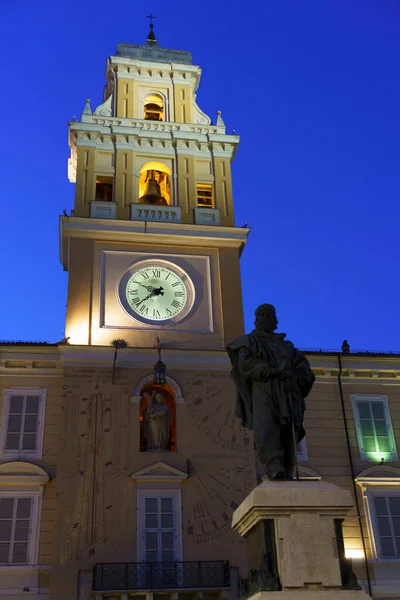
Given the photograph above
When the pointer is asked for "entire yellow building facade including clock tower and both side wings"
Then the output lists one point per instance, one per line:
(116, 477)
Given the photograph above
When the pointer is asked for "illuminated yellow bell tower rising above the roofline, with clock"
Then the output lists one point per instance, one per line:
(151, 246)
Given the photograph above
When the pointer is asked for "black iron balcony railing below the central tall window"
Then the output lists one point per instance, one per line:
(130, 577)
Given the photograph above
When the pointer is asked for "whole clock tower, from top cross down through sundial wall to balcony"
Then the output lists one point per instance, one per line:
(153, 463)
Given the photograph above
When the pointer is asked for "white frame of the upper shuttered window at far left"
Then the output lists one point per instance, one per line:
(28, 454)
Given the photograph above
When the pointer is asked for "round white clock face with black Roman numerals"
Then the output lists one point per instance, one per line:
(156, 292)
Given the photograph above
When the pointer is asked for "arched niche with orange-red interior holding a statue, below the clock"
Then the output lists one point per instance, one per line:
(157, 418)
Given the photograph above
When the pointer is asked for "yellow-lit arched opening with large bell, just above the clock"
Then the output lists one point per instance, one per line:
(155, 184)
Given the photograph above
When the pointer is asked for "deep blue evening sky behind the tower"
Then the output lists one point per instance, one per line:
(313, 90)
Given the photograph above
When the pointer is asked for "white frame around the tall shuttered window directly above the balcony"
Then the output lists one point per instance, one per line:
(142, 494)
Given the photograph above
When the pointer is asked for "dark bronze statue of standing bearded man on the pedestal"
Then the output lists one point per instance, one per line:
(273, 379)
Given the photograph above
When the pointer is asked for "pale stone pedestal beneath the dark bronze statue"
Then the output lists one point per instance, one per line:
(295, 543)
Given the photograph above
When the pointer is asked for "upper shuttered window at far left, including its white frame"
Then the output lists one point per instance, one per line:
(22, 425)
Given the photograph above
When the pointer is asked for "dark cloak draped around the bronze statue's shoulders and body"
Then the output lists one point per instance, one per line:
(253, 357)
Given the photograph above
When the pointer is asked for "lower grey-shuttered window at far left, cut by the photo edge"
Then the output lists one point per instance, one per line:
(15, 528)
